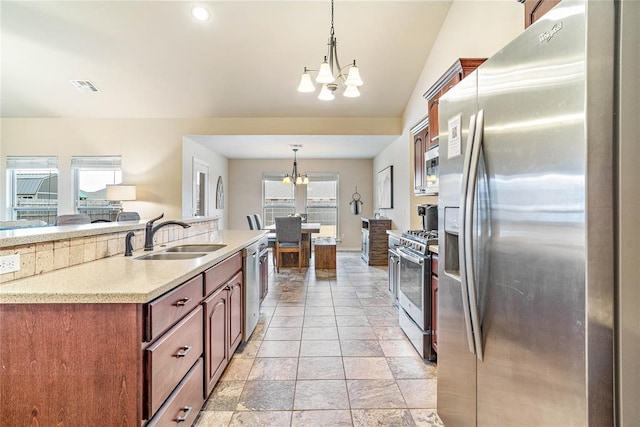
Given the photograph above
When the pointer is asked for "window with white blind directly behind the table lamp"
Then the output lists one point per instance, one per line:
(90, 178)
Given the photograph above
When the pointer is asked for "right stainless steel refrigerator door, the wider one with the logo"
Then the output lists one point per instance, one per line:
(533, 299)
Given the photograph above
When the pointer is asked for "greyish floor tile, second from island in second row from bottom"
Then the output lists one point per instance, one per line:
(266, 396)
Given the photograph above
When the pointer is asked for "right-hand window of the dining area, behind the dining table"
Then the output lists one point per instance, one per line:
(322, 202)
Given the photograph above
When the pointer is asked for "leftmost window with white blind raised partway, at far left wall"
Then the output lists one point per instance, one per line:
(32, 187)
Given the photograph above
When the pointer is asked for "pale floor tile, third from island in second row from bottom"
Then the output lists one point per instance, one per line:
(321, 394)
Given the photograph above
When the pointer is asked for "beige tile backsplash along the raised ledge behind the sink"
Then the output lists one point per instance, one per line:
(38, 258)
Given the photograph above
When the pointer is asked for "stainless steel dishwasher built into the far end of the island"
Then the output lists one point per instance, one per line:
(251, 289)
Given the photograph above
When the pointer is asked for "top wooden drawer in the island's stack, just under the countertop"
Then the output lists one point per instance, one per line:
(166, 310)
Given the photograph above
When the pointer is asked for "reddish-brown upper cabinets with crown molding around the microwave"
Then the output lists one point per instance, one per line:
(426, 134)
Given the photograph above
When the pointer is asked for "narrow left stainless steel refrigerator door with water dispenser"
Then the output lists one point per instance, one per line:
(456, 358)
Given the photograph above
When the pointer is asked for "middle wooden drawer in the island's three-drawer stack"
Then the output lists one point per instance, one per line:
(169, 359)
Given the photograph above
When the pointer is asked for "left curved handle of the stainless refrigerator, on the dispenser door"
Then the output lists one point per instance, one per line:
(461, 235)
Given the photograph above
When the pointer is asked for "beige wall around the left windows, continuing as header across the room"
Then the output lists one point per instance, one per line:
(151, 149)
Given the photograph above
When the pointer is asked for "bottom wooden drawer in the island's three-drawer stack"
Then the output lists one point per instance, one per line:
(184, 403)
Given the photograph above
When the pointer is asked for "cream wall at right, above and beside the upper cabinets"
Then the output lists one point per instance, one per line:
(472, 29)
